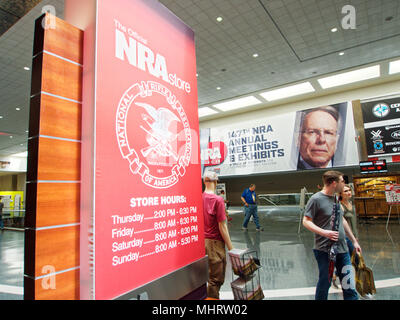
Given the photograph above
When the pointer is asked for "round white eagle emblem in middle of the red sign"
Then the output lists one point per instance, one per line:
(155, 136)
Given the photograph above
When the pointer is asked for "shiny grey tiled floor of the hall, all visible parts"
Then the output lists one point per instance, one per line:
(289, 270)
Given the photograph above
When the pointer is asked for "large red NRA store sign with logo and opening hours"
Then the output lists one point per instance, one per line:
(147, 186)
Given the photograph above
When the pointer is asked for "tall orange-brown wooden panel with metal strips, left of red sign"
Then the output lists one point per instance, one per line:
(53, 177)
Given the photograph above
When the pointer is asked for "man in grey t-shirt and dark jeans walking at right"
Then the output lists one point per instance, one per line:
(317, 219)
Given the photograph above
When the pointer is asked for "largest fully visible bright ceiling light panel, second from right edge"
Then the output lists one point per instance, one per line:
(350, 77)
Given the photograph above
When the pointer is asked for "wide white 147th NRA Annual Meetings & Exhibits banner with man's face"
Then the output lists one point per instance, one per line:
(316, 138)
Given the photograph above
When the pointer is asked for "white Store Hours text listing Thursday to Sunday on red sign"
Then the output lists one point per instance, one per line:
(171, 224)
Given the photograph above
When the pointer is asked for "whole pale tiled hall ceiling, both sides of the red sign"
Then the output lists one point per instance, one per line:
(292, 38)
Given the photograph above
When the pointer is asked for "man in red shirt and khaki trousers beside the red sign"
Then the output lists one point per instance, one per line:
(216, 234)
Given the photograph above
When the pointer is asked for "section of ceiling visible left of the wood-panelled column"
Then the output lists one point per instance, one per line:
(16, 46)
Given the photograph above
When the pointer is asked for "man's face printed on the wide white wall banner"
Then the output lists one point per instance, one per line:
(318, 138)
